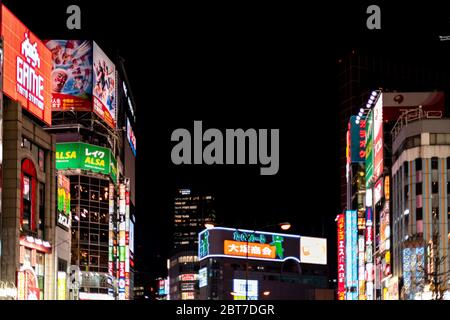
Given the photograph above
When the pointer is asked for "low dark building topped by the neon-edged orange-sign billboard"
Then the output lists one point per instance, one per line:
(240, 264)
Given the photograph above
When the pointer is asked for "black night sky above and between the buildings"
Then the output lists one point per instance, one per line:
(259, 66)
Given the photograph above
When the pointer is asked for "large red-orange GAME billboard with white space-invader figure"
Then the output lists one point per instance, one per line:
(27, 67)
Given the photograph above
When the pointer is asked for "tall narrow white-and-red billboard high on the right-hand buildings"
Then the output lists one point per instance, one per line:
(378, 136)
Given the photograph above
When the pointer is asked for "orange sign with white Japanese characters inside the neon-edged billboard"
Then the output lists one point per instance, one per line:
(257, 250)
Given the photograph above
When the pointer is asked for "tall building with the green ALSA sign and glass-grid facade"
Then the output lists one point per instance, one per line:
(94, 124)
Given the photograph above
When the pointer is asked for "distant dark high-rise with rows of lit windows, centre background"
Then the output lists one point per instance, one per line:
(191, 212)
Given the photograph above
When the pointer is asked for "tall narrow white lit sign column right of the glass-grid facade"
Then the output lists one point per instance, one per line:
(122, 254)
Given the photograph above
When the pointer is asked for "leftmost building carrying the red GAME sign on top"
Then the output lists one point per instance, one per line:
(29, 252)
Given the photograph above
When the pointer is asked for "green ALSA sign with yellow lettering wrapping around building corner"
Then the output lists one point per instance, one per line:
(78, 155)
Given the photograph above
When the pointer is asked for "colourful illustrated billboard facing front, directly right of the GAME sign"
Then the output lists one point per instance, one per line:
(71, 76)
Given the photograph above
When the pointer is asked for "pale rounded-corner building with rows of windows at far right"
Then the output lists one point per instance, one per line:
(421, 203)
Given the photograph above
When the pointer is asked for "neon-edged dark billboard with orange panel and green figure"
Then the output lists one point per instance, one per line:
(257, 245)
